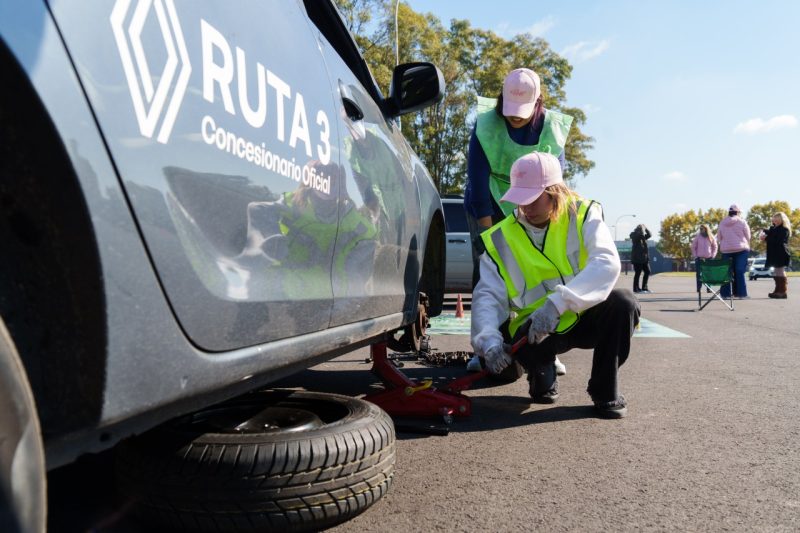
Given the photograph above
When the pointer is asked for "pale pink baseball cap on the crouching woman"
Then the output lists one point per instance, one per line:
(531, 174)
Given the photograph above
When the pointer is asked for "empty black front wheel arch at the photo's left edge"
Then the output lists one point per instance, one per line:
(51, 291)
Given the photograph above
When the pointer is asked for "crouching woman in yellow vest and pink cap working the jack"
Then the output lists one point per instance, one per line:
(550, 267)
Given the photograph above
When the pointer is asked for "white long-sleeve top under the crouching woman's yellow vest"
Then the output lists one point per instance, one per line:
(592, 285)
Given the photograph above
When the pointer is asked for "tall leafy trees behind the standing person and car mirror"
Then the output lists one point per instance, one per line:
(474, 62)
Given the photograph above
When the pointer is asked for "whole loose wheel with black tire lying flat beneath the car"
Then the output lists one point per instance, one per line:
(268, 461)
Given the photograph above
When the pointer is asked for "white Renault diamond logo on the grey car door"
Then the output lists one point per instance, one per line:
(160, 102)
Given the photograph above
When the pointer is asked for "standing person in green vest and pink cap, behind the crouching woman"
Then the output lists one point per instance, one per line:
(508, 127)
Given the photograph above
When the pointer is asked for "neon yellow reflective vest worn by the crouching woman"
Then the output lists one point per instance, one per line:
(530, 273)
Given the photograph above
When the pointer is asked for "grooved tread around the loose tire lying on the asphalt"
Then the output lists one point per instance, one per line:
(300, 485)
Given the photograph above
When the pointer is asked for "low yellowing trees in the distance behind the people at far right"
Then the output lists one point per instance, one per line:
(678, 230)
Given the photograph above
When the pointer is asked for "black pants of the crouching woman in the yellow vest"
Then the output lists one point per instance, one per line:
(606, 327)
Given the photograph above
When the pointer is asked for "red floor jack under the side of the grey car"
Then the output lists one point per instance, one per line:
(406, 397)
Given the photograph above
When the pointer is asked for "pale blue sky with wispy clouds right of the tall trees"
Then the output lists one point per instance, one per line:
(692, 104)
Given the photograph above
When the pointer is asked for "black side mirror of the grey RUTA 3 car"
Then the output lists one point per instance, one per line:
(415, 86)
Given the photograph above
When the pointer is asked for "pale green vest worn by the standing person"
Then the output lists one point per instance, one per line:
(501, 151)
